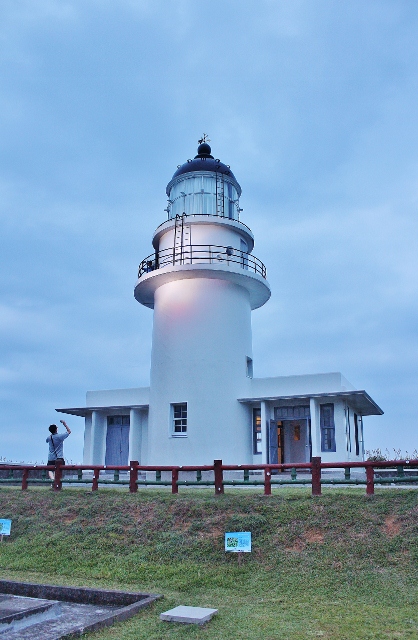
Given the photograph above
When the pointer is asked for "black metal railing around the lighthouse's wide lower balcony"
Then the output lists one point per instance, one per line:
(201, 254)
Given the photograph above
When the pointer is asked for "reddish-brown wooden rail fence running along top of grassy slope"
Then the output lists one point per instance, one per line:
(136, 475)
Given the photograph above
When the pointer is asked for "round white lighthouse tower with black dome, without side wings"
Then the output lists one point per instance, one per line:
(202, 282)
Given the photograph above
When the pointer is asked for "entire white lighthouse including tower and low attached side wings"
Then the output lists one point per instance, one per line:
(202, 281)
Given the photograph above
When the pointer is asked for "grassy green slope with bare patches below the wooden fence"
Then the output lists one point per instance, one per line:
(340, 566)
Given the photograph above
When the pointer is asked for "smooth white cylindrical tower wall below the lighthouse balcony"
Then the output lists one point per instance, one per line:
(201, 339)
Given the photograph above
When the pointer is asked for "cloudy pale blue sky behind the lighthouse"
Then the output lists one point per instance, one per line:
(313, 104)
